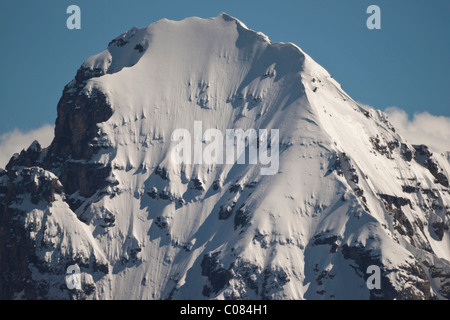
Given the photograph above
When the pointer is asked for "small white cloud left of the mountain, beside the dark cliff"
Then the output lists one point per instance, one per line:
(16, 140)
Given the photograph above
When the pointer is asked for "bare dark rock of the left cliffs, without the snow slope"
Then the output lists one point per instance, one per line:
(69, 158)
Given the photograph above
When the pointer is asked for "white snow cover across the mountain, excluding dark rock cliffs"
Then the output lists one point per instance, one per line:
(276, 242)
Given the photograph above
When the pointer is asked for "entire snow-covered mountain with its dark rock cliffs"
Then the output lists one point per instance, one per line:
(346, 193)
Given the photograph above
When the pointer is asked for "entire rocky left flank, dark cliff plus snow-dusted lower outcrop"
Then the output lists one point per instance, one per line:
(38, 180)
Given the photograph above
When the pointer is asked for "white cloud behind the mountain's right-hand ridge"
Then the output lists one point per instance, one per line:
(423, 128)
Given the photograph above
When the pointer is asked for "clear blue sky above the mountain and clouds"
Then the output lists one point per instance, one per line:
(405, 64)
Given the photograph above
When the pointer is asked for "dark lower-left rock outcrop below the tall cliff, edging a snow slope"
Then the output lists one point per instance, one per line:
(18, 251)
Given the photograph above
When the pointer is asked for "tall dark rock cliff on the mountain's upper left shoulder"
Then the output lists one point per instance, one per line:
(74, 144)
